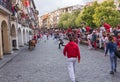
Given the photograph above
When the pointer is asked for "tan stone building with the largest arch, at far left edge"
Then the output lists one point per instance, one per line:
(5, 38)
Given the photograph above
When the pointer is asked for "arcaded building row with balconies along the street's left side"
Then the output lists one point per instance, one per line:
(15, 24)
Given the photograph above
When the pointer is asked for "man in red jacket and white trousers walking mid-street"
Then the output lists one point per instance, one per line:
(71, 50)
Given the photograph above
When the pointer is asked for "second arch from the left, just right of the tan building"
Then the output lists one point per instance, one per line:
(13, 35)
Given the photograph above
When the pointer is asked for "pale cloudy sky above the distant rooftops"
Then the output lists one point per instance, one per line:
(46, 6)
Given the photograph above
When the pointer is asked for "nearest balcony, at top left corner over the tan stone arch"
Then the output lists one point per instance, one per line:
(5, 6)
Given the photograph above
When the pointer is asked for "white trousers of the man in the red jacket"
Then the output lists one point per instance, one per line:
(71, 68)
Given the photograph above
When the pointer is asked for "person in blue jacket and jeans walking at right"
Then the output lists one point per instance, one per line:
(112, 47)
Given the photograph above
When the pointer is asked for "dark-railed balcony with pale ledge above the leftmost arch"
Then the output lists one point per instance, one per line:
(5, 5)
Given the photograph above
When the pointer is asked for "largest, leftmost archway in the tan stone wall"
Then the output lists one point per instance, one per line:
(5, 37)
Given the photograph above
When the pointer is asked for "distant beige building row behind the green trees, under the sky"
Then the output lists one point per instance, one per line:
(51, 21)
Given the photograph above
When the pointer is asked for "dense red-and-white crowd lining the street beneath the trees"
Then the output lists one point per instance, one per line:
(94, 38)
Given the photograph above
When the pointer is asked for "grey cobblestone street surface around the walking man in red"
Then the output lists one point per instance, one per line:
(46, 63)
